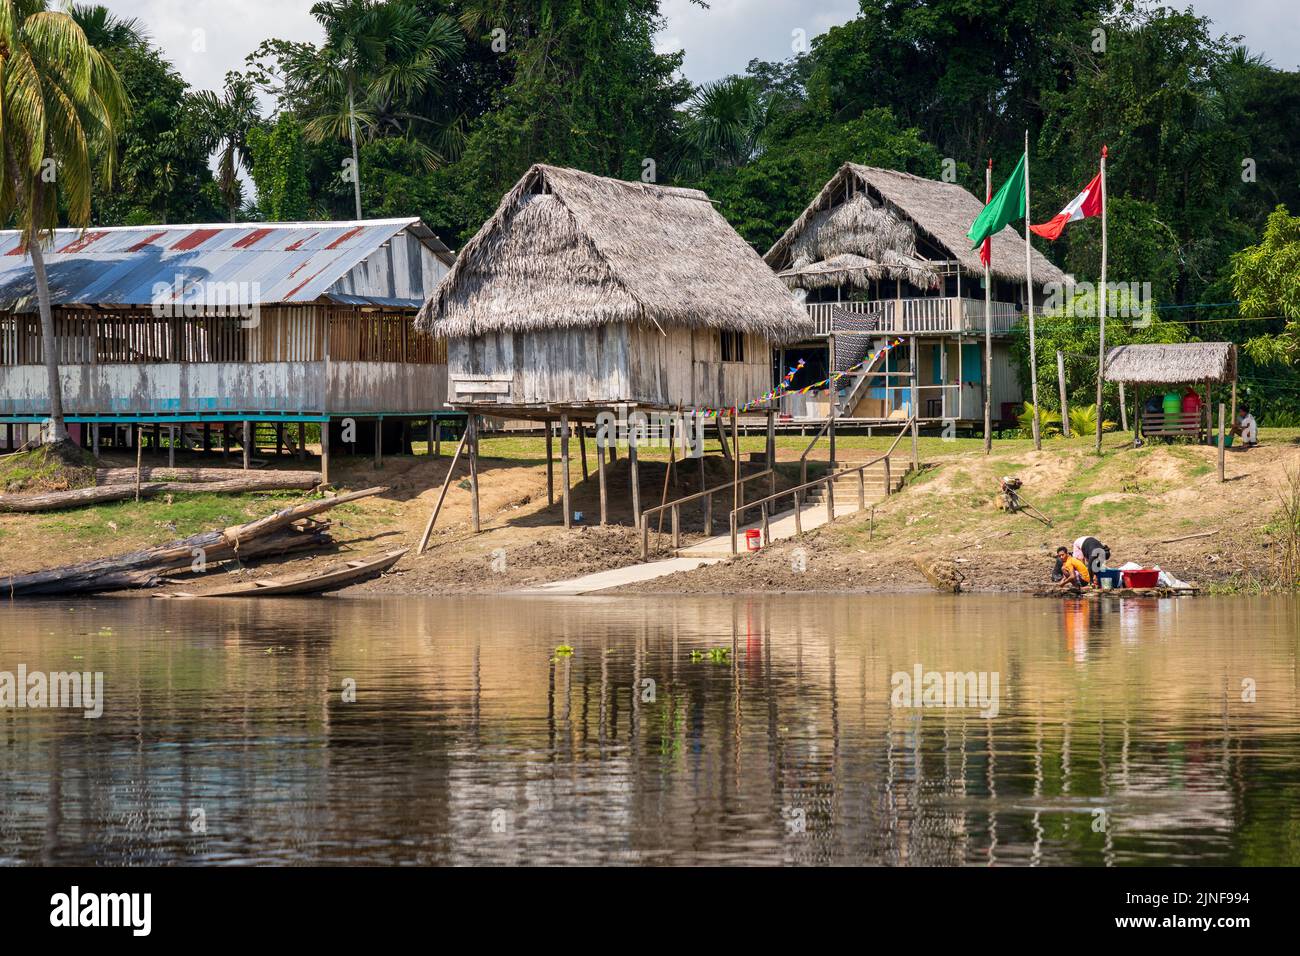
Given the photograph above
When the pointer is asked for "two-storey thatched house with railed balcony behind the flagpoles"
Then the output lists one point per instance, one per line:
(882, 256)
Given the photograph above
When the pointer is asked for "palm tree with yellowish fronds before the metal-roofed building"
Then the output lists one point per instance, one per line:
(62, 107)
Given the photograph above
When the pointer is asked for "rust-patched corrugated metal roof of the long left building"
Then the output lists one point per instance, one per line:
(245, 263)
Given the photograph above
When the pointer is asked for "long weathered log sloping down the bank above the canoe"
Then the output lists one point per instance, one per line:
(140, 569)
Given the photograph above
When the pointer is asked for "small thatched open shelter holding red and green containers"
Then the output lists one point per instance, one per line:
(1171, 369)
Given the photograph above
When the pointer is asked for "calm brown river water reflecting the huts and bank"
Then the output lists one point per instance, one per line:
(681, 730)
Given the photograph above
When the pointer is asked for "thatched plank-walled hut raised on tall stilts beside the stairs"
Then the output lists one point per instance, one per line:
(586, 295)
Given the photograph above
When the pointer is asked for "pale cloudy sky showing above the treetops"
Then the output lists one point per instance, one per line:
(206, 38)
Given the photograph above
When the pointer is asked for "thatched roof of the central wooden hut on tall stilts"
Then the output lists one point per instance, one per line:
(570, 249)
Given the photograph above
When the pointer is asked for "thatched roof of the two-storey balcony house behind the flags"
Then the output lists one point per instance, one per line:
(942, 211)
